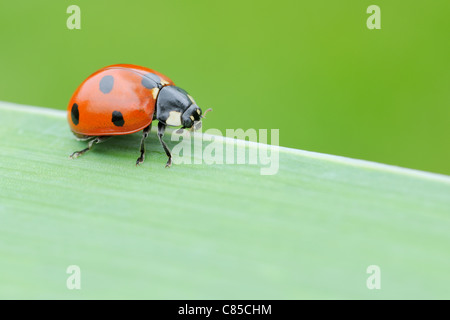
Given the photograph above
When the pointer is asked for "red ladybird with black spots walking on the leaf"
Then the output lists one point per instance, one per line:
(123, 99)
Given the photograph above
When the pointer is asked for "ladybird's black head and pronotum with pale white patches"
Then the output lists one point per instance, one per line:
(176, 107)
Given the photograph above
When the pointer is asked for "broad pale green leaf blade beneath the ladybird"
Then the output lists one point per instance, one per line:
(210, 231)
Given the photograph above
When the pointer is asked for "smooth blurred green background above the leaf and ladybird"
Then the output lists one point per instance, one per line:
(310, 68)
